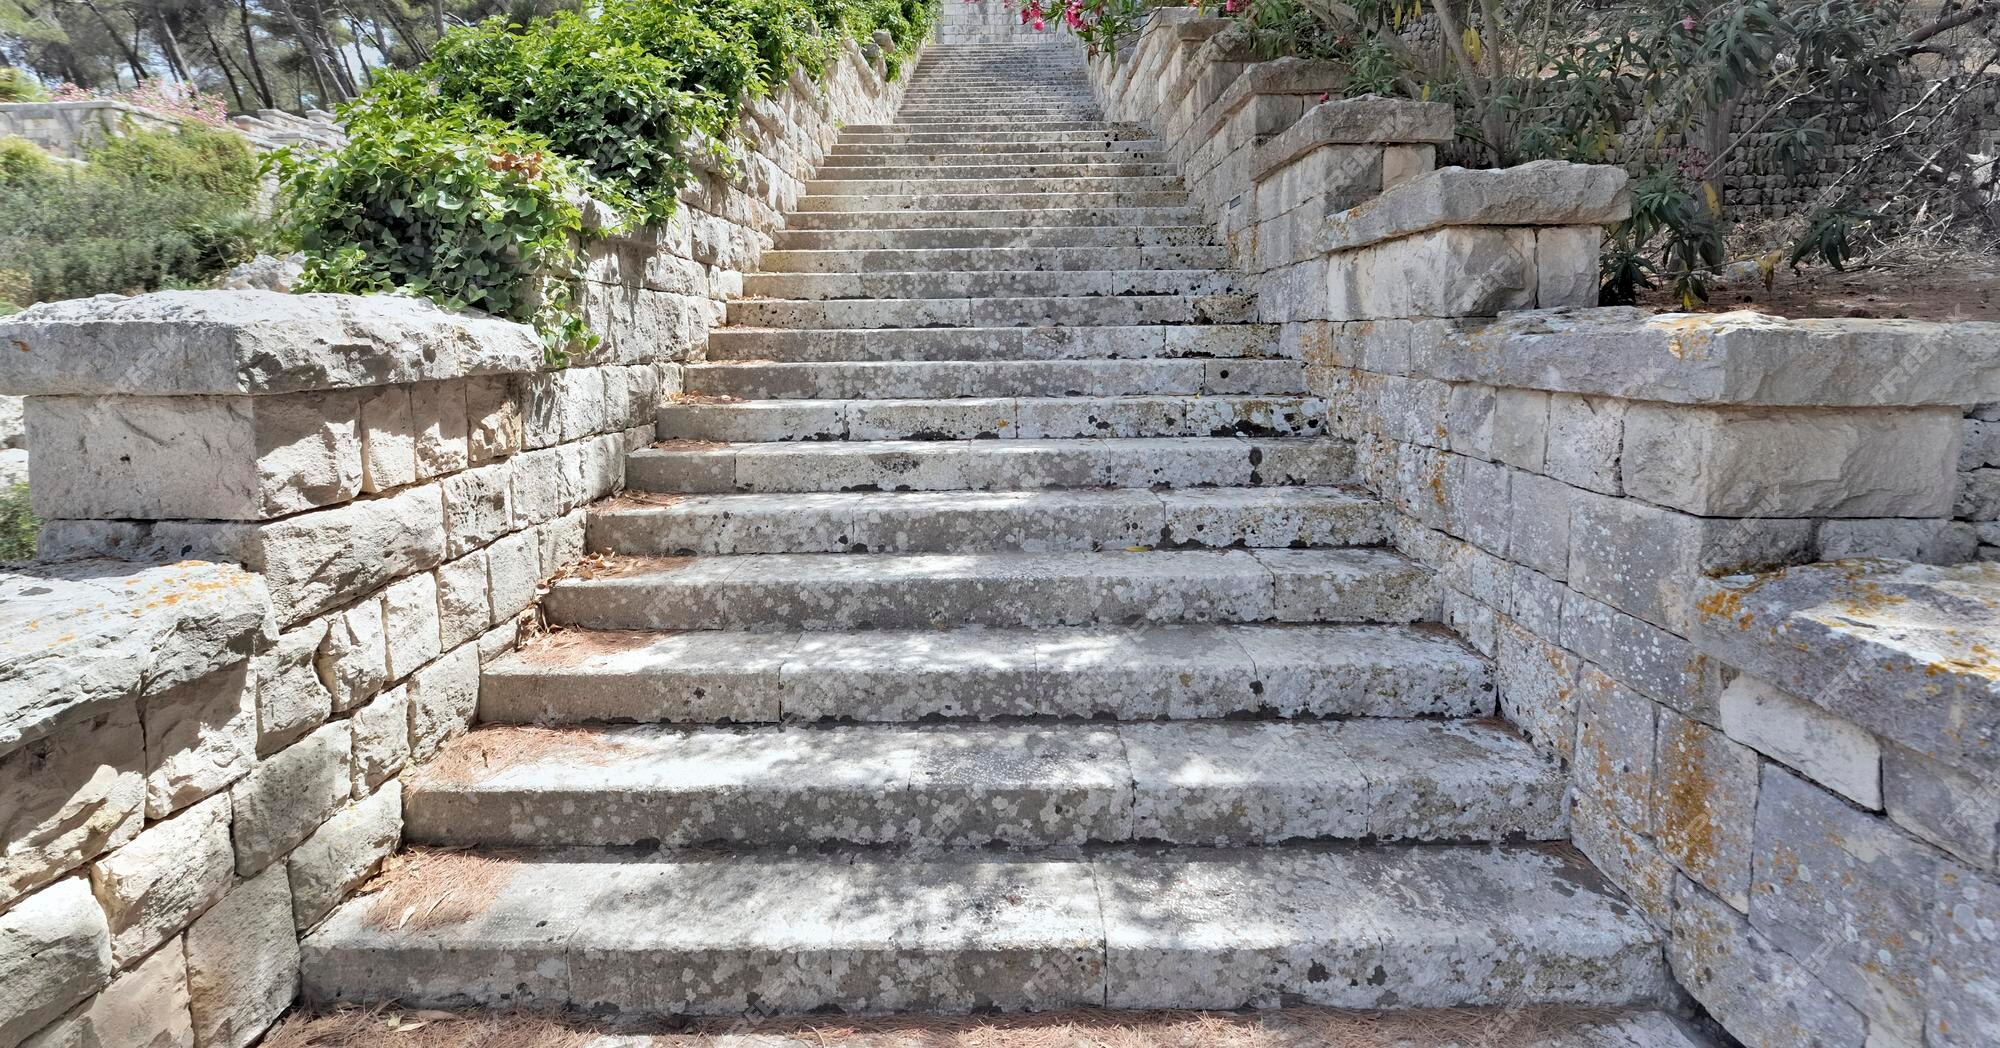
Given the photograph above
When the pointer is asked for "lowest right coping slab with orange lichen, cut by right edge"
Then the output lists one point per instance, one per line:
(1905, 651)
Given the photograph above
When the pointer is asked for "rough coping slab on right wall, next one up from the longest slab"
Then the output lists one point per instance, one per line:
(1545, 193)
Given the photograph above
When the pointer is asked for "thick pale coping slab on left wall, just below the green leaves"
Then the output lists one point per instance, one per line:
(251, 343)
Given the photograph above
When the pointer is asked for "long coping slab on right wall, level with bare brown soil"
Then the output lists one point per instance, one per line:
(1711, 359)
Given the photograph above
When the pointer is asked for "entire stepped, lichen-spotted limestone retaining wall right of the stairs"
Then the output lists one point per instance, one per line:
(1819, 855)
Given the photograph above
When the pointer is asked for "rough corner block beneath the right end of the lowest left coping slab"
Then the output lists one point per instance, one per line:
(199, 739)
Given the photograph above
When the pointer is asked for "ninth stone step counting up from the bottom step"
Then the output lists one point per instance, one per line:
(937, 345)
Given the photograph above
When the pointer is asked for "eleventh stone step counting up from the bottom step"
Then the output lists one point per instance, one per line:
(1011, 283)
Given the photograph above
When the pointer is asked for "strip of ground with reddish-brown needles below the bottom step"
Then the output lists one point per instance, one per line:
(1085, 1029)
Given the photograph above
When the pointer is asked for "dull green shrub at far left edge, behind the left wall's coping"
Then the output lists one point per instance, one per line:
(151, 211)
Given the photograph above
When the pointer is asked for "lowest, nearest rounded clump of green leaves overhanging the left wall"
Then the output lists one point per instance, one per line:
(445, 205)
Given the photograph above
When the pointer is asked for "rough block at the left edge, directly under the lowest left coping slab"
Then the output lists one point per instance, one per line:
(67, 799)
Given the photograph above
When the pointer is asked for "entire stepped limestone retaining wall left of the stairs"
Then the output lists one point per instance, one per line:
(199, 761)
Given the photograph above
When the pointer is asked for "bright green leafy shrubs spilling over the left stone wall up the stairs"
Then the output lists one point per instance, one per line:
(461, 181)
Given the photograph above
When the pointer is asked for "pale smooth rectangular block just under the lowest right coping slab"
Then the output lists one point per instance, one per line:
(1827, 749)
